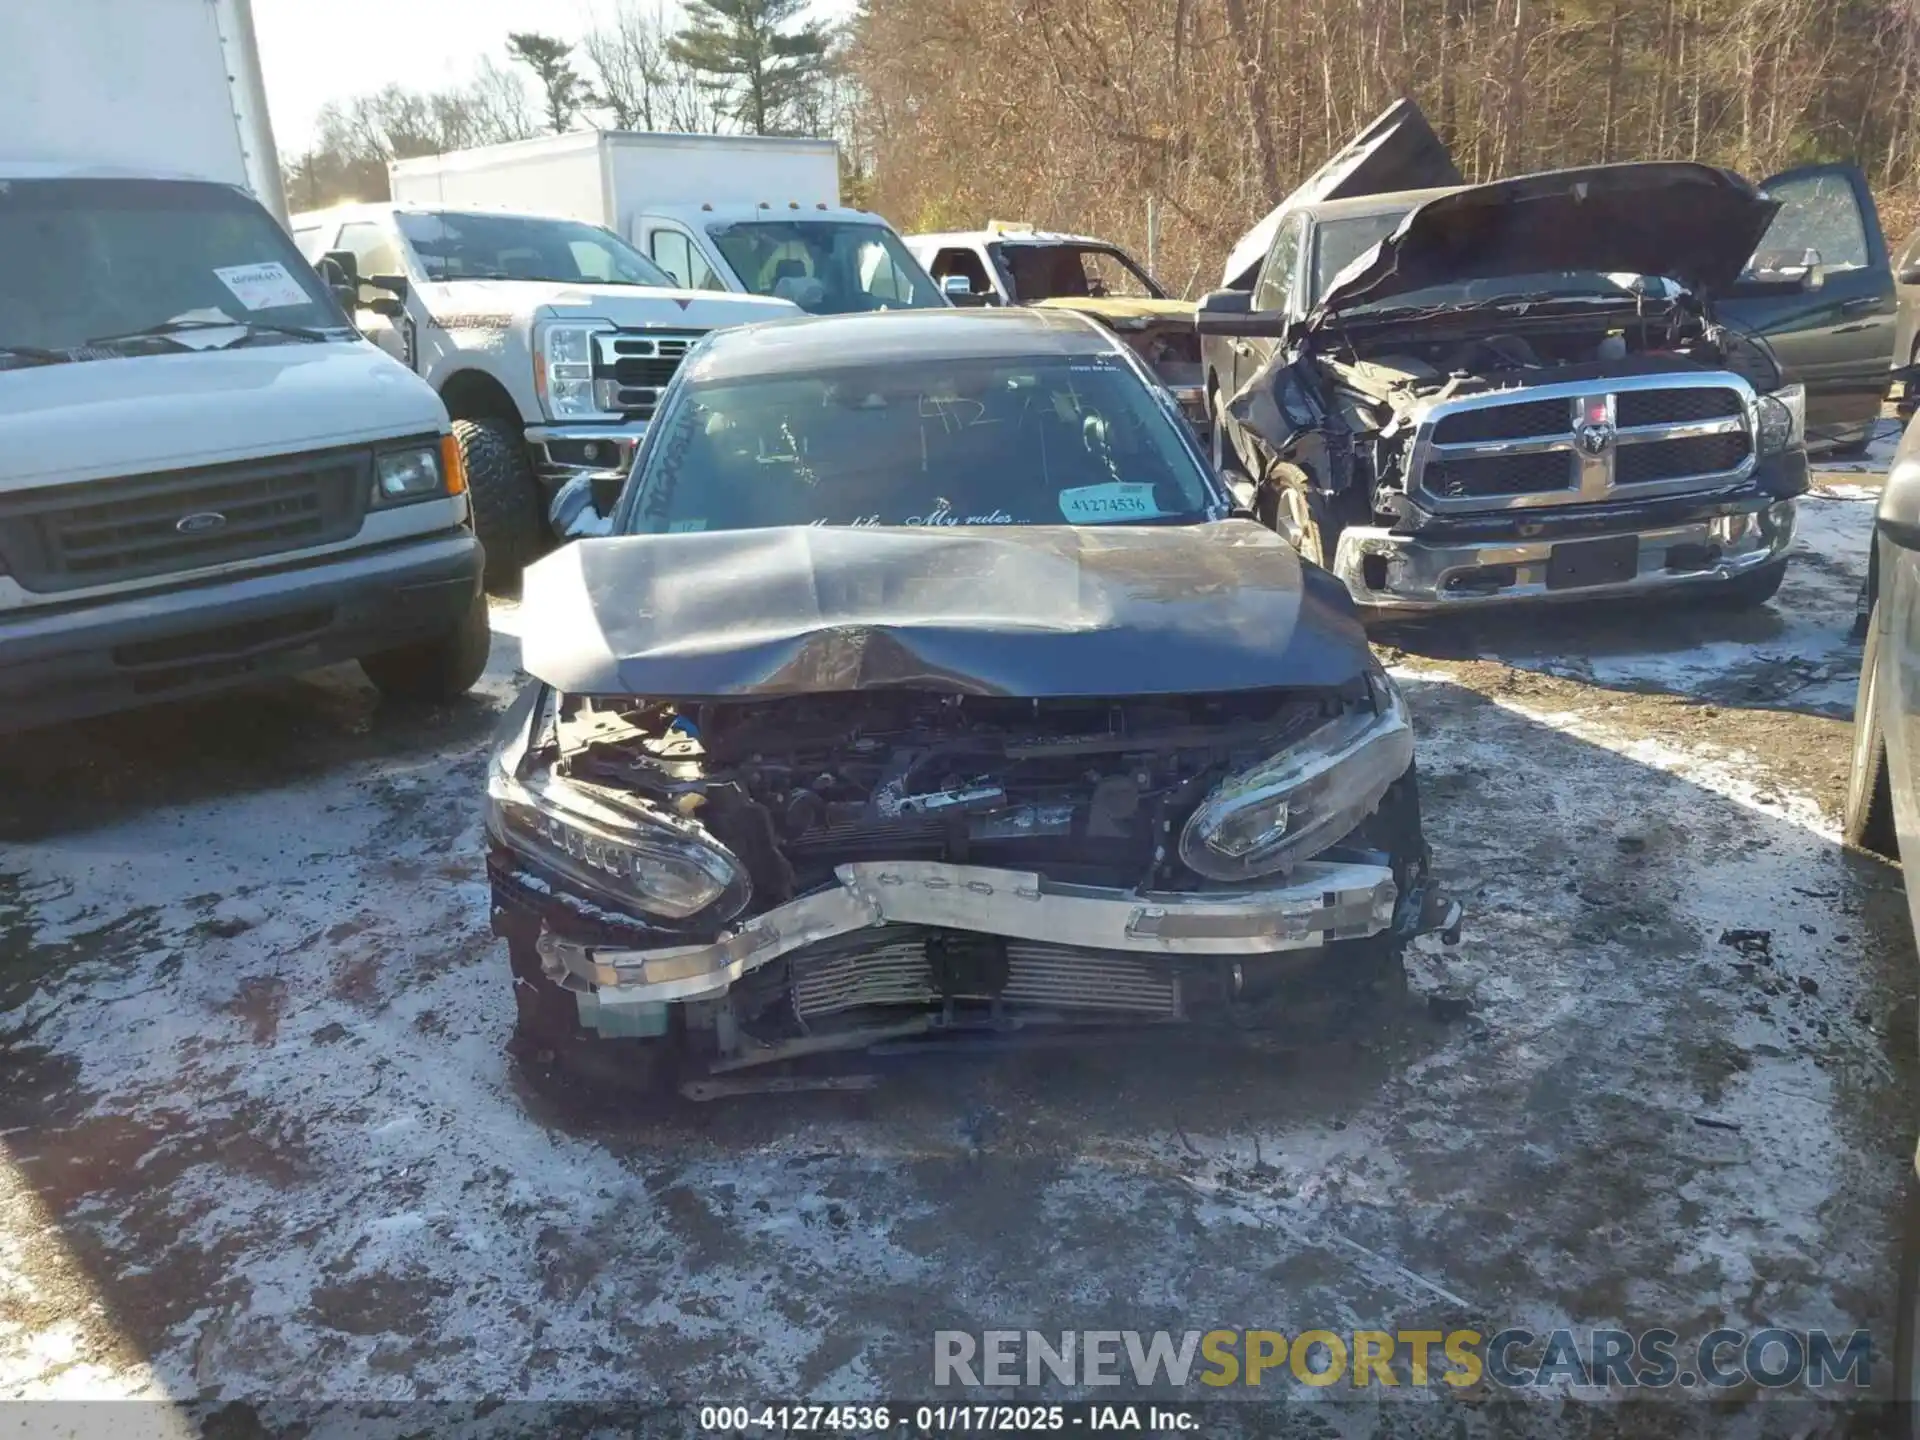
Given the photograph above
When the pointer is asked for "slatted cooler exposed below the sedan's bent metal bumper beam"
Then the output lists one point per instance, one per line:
(900, 967)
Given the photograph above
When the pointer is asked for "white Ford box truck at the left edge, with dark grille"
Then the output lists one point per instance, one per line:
(206, 473)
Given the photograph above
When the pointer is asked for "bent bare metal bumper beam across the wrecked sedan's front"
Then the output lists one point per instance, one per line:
(1320, 903)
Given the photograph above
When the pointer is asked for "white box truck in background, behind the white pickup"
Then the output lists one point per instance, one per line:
(717, 212)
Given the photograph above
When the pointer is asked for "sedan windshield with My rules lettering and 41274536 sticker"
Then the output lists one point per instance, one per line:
(1026, 441)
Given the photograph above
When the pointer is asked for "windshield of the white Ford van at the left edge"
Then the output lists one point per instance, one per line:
(107, 258)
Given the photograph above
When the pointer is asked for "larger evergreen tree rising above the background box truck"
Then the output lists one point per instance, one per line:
(748, 51)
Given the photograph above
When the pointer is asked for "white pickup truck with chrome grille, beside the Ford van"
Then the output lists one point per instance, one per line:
(550, 343)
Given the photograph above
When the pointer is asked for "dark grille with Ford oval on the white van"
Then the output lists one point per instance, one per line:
(135, 527)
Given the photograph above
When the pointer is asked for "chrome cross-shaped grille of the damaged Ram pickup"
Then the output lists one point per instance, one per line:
(1585, 443)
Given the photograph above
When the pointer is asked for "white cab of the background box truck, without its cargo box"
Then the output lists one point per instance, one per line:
(823, 258)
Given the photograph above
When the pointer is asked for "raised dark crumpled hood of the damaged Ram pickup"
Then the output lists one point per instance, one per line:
(1691, 224)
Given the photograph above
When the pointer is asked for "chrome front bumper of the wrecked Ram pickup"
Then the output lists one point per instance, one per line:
(1426, 573)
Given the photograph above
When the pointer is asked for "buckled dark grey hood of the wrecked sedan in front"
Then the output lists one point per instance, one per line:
(1044, 612)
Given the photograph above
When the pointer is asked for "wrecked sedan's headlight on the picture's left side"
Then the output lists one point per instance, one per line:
(656, 863)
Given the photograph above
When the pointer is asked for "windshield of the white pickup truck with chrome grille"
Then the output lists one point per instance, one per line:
(458, 247)
